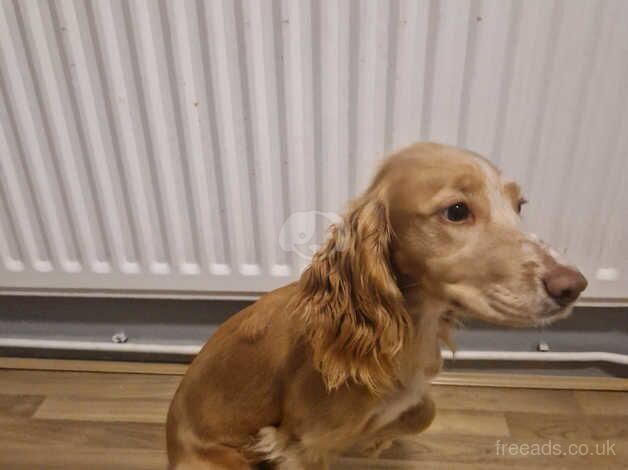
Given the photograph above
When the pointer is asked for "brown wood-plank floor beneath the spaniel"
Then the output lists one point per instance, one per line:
(86, 420)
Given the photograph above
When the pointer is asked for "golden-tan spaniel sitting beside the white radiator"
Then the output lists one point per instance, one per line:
(342, 358)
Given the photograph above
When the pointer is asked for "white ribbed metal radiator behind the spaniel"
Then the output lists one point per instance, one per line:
(183, 147)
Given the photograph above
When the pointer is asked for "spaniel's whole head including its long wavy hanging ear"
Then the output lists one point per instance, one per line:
(446, 221)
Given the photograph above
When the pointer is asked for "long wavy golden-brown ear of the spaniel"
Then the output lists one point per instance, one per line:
(354, 313)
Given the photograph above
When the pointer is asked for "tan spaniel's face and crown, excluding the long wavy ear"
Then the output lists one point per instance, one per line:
(458, 233)
